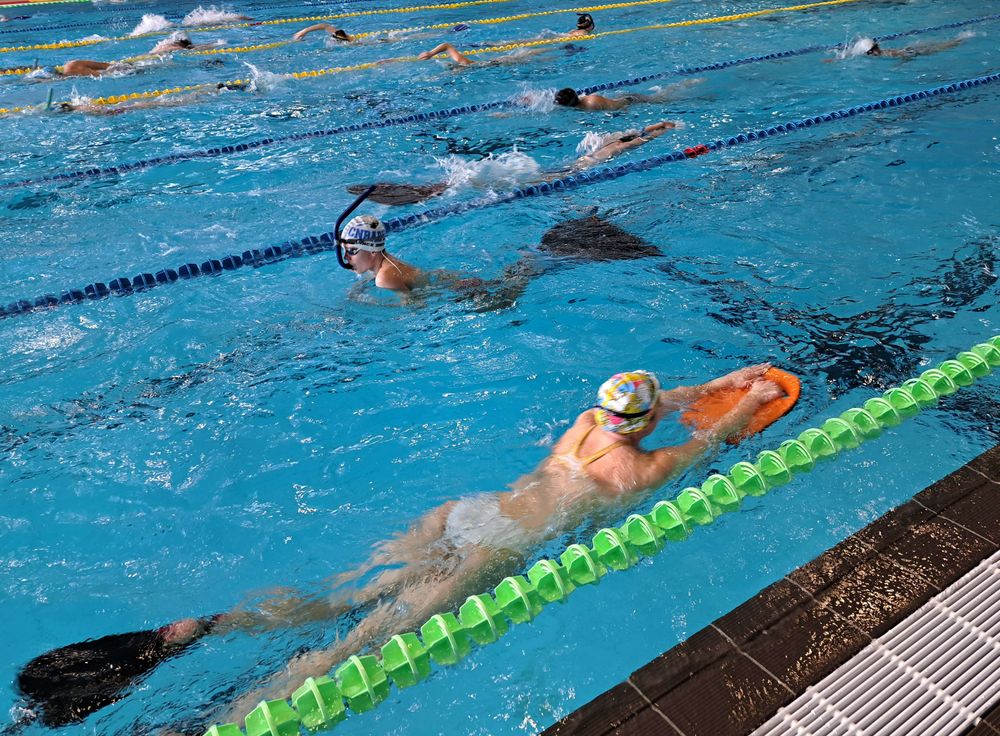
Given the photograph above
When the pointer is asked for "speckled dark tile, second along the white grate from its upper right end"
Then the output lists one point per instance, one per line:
(877, 595)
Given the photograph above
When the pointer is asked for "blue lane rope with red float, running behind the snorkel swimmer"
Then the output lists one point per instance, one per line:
(123, 286)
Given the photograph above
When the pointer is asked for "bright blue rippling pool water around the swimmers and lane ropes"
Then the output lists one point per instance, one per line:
(169, 453)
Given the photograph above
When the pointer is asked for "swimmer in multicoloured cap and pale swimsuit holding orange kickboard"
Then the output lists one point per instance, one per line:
(595, 473)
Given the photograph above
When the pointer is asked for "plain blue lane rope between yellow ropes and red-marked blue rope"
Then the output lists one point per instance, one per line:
(438, 114)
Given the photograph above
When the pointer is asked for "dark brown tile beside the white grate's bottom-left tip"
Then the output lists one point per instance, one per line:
(731, 698)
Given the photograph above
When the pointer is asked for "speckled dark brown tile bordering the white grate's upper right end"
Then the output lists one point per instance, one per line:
(939, 551)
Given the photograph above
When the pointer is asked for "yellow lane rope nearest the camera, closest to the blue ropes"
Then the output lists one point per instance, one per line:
(118, 99)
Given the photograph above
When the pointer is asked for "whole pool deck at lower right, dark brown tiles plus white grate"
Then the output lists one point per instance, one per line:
(837, 616)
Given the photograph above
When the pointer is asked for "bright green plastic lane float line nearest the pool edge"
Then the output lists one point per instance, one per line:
(362, 682)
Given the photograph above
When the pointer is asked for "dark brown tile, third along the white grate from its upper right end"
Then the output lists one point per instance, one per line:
(805, 646)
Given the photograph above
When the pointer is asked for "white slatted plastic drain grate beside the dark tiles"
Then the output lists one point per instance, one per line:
(931, 675)
